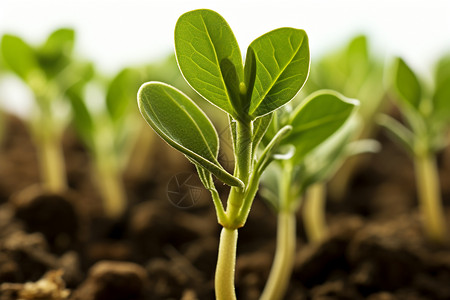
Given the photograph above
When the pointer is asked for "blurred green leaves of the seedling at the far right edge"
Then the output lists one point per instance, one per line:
(427, 114)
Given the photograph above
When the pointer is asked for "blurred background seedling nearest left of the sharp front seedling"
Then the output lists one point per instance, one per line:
(107, 129)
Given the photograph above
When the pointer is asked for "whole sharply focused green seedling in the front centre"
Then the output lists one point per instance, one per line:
(276, 67)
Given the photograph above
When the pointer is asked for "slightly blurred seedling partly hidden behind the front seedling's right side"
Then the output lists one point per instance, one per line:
(312, 122)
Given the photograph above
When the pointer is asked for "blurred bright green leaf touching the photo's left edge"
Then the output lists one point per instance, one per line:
(19, 56)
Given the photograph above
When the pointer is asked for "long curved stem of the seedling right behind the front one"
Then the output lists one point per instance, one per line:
(282, 266)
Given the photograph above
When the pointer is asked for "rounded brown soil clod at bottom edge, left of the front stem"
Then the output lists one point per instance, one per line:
(109, 280)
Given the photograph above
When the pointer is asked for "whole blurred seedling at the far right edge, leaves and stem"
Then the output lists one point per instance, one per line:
(427, 116)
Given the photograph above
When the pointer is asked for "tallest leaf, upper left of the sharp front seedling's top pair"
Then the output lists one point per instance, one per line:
(207, 50)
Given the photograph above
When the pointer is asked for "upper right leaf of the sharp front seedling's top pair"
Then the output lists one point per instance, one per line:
(282, 66)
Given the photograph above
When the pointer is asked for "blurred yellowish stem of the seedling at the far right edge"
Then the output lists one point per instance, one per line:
(427, 180)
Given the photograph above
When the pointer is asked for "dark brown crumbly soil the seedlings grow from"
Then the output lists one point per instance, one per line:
(165, 246)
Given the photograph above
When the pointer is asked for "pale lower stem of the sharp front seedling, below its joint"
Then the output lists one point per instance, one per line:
(226, 260)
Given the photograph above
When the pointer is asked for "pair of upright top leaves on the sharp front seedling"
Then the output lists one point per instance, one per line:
(276, 67)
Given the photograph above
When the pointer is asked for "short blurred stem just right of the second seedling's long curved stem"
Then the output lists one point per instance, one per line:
(314, 212)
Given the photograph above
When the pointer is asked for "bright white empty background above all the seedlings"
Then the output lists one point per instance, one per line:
(118, 33)
